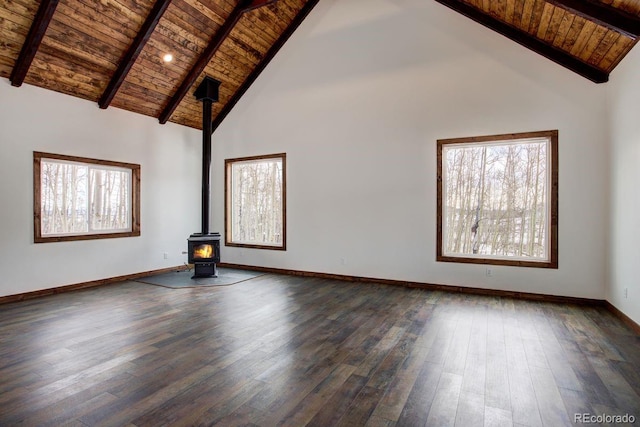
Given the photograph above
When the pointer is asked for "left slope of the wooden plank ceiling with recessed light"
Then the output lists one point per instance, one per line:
(111, 51)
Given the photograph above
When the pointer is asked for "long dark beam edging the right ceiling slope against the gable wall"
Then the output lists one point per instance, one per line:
(525, 39)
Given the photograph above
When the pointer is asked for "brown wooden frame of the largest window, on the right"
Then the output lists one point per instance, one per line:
(552, 162)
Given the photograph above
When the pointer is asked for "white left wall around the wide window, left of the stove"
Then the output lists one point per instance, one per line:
(33, 119)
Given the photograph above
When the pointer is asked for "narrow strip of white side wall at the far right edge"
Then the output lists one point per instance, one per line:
(624, 257)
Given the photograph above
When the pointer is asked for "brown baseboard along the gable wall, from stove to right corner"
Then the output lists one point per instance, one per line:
(430, 286)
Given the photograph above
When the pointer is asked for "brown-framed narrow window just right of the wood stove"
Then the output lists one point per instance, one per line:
(255, 202)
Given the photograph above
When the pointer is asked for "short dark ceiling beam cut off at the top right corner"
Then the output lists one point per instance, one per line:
(607, 16)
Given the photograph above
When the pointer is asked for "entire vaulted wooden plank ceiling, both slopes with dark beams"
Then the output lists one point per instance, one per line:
(111, 51)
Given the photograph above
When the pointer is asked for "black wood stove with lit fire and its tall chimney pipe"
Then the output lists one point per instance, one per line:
(204, 247)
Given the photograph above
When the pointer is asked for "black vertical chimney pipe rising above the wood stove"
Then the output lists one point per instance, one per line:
(208, 93)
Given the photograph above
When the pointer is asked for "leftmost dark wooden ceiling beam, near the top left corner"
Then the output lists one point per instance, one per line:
(32, 42)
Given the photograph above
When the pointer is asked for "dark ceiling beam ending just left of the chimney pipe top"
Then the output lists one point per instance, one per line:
(204, 59)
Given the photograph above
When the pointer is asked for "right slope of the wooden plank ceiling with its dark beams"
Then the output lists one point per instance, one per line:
(589, 37)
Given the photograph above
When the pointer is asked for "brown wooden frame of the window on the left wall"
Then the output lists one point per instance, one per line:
(37, 199)
